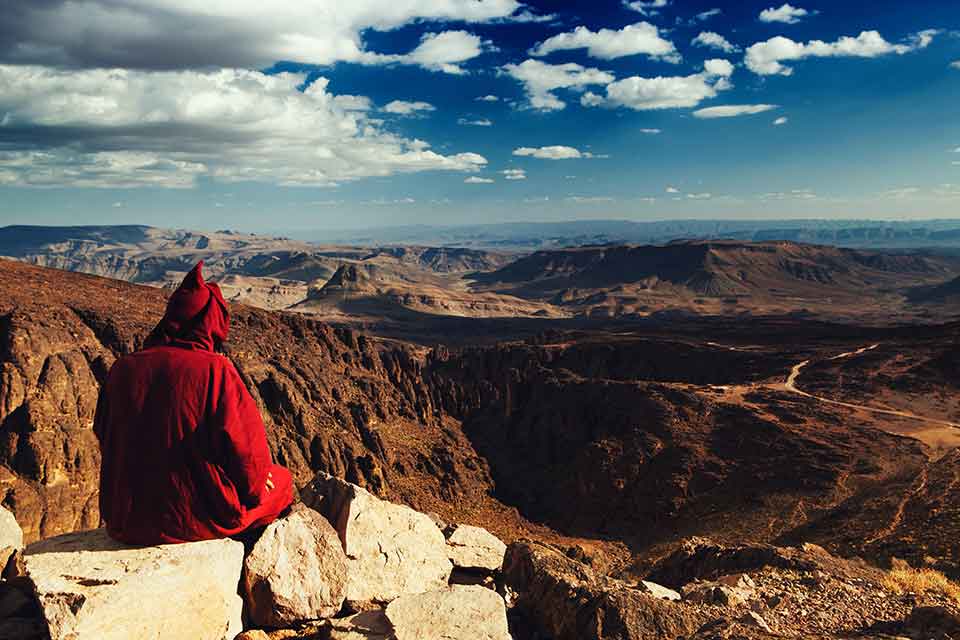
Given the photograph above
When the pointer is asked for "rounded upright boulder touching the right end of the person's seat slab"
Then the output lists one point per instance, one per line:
(296, 572)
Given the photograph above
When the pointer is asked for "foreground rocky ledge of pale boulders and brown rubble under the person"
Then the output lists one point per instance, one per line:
(345, 565)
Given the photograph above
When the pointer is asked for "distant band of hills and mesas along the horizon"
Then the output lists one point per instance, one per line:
(415, 291)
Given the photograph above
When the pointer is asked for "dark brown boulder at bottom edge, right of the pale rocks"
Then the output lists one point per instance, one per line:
(566, 600)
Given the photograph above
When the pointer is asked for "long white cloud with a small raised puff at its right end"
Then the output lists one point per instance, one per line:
(642, 94)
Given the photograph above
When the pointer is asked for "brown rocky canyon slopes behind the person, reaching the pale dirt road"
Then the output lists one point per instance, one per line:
(626, 442)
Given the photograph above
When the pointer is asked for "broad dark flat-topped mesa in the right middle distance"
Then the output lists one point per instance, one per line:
(718, 276)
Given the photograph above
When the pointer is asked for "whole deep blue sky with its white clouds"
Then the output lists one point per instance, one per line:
(322, 116)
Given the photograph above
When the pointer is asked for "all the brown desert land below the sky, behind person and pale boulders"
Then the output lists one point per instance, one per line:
(623, 406)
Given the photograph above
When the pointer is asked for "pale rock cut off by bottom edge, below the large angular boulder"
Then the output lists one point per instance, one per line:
(454, 613)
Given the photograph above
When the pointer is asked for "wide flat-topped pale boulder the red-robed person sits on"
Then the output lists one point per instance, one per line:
(93, 588)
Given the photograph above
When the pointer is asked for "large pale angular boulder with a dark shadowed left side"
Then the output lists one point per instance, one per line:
(391, 549)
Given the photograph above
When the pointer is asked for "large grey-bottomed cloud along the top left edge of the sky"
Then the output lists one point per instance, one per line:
(178, 34)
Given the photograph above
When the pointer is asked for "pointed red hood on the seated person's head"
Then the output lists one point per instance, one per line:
(196, 316)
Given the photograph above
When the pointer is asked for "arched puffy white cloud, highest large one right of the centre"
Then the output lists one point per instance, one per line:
(607, 44)
